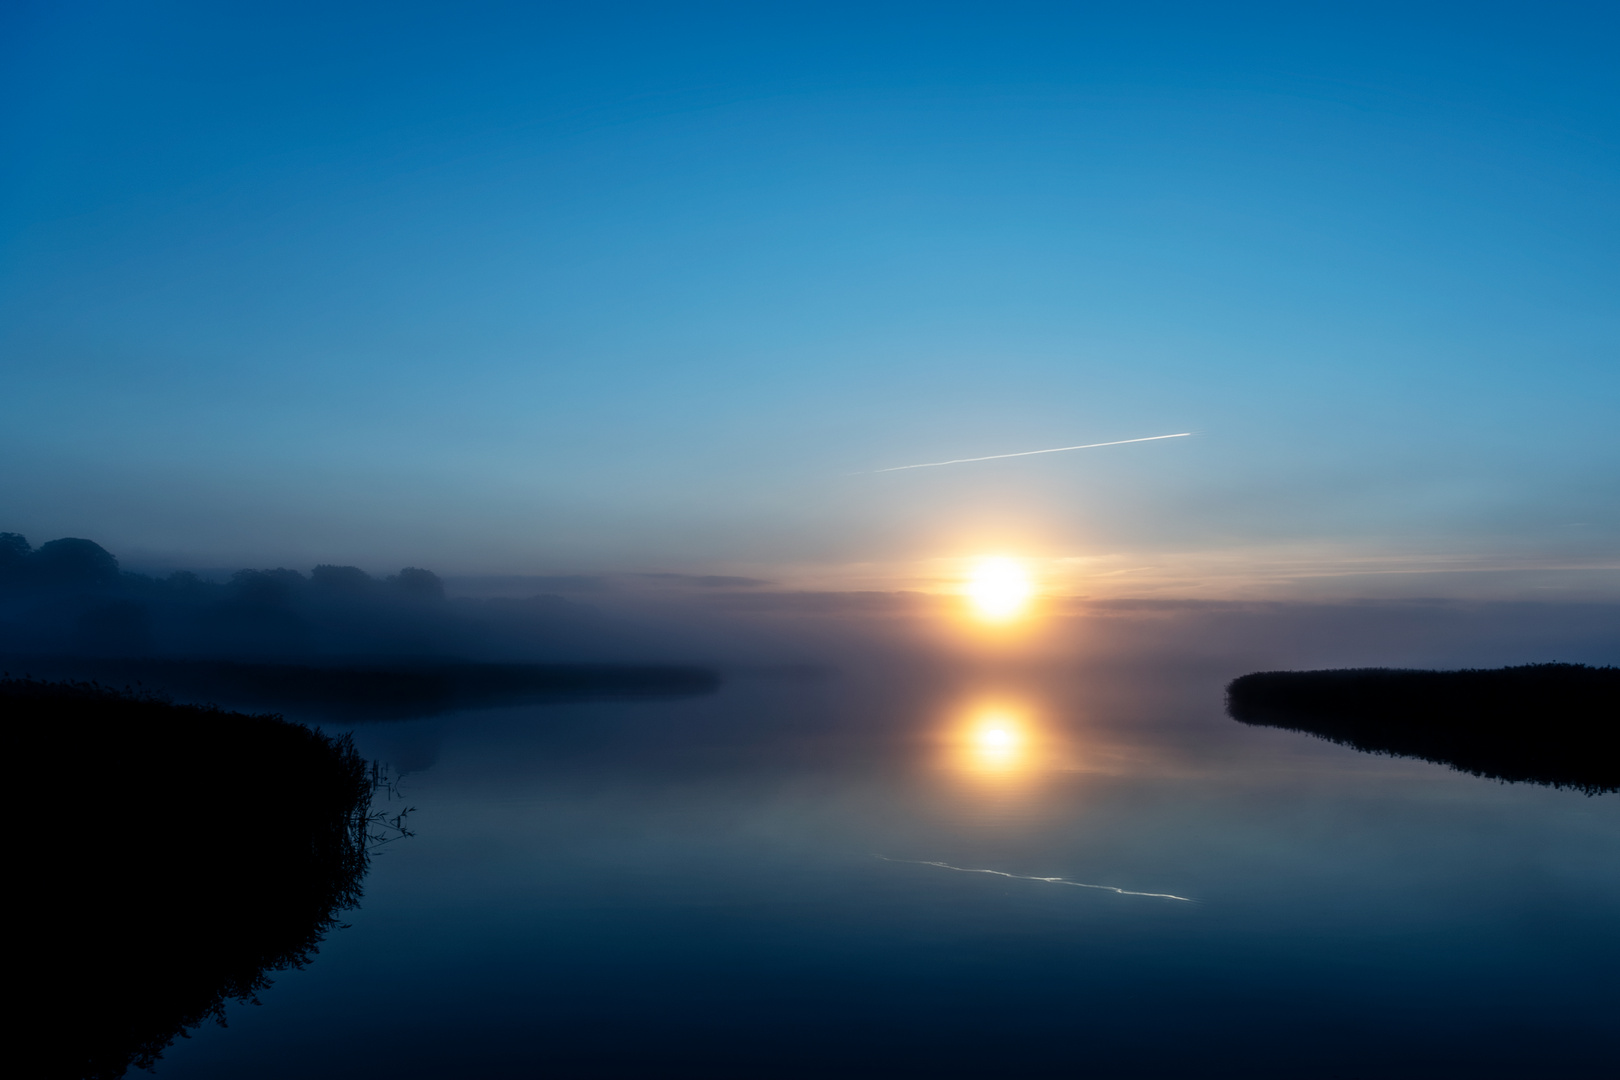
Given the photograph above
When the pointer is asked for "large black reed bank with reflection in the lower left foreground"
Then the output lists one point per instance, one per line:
(169, 859)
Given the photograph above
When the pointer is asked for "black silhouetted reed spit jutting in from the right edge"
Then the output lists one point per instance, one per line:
(1556, 725)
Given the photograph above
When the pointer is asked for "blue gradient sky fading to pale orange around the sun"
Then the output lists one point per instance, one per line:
(654, 287)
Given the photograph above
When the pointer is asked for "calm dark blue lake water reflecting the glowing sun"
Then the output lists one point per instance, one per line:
(783, 880)
